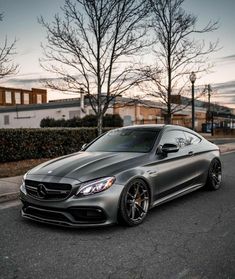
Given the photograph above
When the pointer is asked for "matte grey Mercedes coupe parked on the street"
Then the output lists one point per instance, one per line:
(120, 176)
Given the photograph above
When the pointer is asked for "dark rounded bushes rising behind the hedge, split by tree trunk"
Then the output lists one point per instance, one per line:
(109, 120)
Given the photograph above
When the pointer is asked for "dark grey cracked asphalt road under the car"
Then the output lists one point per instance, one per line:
(191, 237)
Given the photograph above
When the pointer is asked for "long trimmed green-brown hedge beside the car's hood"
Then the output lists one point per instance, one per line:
(20, 144)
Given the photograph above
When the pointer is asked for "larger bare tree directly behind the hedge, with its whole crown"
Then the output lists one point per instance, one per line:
(94, 48)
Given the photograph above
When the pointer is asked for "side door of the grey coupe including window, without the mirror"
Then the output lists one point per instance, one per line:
(174, 170)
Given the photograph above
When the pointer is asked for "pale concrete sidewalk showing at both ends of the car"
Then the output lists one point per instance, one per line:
(9, 186)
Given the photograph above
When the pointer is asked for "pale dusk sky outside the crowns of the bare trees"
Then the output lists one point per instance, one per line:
(21, 22)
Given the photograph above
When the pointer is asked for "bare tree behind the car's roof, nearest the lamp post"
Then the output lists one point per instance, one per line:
(178, 53)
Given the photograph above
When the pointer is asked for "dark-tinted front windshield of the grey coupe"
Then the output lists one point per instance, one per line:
(125, 140)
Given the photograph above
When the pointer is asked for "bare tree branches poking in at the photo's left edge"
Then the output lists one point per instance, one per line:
(7, 67)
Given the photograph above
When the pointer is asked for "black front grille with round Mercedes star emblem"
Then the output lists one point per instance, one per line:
(47, 190)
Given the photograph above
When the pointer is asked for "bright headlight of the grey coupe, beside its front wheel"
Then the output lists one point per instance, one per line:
(95, 186)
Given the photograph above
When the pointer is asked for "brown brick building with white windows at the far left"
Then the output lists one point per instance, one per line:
(15, 96)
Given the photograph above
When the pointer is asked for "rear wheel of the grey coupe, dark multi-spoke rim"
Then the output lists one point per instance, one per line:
(214, 178)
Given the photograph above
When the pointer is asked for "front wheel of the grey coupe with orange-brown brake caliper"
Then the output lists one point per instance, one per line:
(134, 203)
